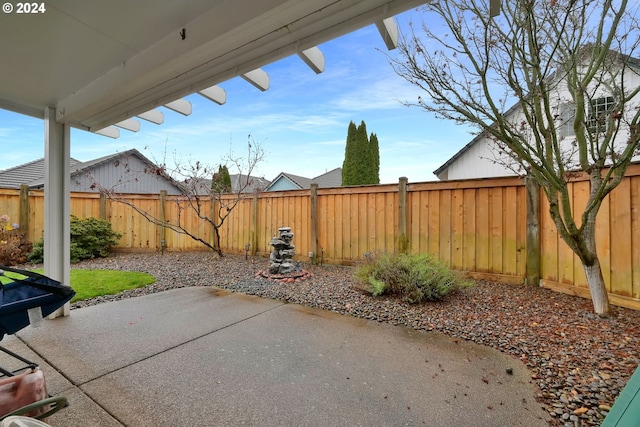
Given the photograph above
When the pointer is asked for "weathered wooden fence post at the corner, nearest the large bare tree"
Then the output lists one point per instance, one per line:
(533, 231)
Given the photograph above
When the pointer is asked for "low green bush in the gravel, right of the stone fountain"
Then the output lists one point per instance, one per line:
(417, 278)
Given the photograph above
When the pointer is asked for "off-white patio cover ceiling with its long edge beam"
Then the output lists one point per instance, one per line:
(101, 62)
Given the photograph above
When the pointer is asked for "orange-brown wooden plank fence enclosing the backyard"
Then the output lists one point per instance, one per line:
(498, 229)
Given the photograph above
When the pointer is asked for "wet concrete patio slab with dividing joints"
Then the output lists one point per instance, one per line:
(206, 357)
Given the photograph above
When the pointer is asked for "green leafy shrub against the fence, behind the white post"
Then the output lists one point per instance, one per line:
(90, 238)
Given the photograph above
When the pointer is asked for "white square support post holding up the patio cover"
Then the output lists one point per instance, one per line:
(57, 210)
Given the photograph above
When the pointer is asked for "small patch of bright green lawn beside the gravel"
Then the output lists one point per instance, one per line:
(95, 283)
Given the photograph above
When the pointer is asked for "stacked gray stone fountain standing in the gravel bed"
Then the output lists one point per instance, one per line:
(281, 265)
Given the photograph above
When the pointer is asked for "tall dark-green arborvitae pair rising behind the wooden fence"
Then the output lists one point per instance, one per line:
(362, 158)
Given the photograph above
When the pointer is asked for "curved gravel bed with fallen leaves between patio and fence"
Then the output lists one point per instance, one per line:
(578, 361)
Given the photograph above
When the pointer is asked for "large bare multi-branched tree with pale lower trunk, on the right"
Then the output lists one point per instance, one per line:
(570, 69)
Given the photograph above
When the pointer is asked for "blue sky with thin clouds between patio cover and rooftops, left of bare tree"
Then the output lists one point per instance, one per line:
(300, 122)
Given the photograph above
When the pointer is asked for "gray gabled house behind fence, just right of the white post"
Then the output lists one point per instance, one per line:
(122, 175)
